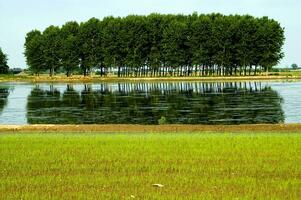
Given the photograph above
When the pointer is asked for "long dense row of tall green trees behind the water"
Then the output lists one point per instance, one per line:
(158, 45)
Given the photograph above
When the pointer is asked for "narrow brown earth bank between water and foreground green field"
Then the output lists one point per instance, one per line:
(172, 128)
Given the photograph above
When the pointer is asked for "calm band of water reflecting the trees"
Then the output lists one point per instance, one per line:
(151, 103)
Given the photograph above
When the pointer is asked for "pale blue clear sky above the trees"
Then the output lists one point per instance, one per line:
(17, 17)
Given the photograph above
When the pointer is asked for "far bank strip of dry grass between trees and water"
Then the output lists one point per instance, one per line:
(95, 79)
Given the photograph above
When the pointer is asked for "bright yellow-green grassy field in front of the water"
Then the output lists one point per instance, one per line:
(116, 166)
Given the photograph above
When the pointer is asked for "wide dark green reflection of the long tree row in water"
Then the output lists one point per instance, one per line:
(198, 103)
